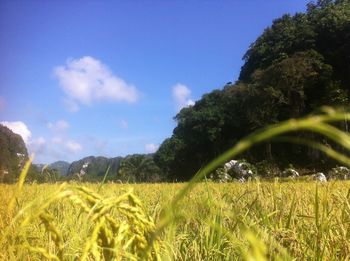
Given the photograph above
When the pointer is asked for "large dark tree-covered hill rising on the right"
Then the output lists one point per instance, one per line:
(297, 65)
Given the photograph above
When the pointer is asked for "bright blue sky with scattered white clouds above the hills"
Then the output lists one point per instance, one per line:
(106, 78)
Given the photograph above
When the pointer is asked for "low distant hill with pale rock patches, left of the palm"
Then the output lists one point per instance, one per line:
(92, 168)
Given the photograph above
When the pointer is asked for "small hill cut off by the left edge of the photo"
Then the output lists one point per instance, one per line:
(13, 154)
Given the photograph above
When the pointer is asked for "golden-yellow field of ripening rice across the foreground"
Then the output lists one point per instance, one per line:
(252, 221)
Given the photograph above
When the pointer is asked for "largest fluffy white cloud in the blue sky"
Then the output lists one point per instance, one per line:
(87, 80)
